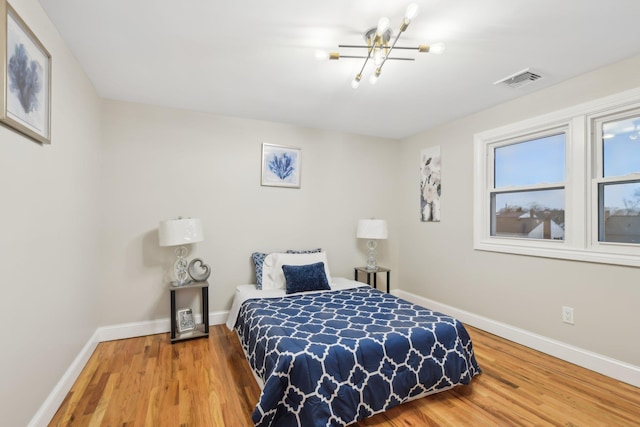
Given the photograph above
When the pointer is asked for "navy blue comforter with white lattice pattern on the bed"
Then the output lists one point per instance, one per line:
(332, 358)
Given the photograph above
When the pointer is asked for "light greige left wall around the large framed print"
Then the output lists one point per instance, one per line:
(49, 246)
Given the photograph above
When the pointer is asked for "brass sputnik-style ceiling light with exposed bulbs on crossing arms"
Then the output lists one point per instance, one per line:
(379, 49)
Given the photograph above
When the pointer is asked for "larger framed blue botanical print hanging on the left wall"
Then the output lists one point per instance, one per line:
(26, 66)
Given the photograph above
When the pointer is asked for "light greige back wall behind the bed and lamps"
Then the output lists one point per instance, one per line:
(162, 163)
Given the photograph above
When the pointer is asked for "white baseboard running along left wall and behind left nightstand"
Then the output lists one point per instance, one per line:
(105, 333)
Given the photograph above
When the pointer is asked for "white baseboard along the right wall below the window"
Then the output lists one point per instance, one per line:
(613, 368)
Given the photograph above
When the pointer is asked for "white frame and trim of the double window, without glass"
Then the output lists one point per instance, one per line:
(581, 183)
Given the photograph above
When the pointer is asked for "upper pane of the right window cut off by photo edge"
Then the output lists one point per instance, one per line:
(621, 147)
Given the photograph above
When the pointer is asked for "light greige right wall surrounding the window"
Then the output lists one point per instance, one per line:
(438, 260)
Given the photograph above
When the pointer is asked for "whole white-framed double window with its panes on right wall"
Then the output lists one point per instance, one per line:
(565, 185)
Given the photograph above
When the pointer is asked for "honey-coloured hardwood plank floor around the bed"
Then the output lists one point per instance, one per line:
(147, 381)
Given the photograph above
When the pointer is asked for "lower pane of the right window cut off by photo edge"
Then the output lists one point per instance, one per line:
(620, 212)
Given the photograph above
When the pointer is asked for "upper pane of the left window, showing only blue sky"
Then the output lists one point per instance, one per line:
(531, 162)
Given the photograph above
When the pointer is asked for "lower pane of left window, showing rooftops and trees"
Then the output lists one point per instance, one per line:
(529, 214)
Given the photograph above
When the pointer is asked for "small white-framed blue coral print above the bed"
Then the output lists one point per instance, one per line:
(281, 166)
